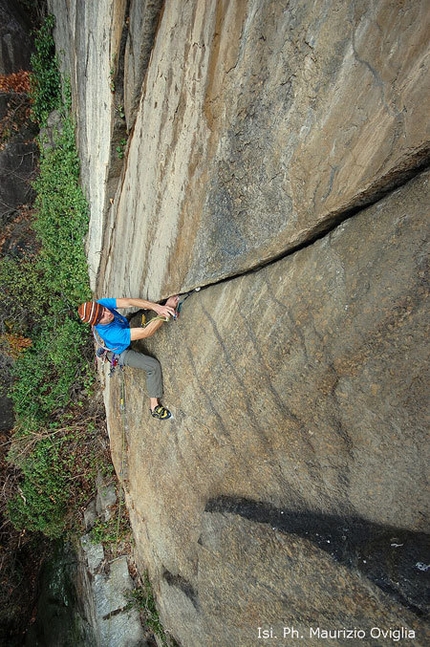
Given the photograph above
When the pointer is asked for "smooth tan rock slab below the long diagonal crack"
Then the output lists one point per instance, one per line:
(299, 397)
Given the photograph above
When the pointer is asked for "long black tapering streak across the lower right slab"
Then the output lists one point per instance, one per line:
(396, 560)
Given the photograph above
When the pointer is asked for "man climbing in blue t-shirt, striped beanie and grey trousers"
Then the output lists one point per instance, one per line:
(114, 329)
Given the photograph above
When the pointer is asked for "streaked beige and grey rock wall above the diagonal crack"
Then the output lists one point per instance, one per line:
(230, 166)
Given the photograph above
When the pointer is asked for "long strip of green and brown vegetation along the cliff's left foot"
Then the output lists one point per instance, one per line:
(55, 449)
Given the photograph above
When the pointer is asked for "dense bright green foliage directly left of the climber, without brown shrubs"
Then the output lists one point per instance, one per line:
(48, 372)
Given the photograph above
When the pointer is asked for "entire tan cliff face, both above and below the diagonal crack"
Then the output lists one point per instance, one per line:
(278, 159)
